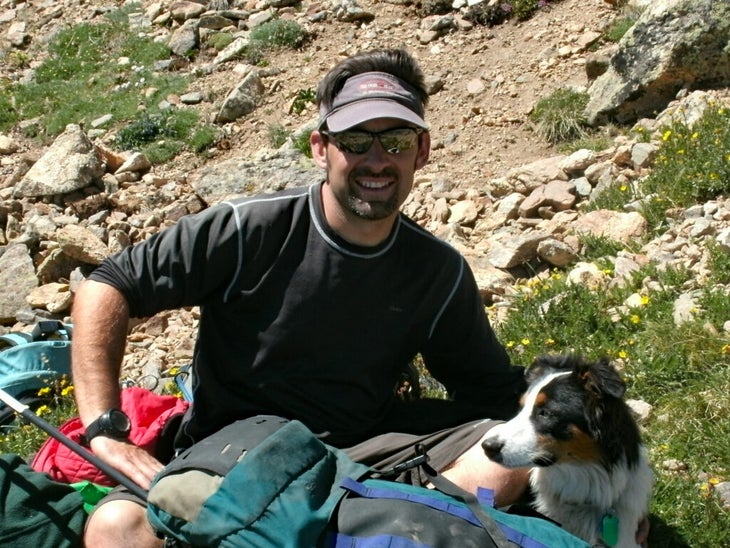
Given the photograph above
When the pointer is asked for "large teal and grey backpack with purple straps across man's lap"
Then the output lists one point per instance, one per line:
(269, 482)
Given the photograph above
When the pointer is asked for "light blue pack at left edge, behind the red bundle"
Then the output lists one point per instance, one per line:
(31, 361)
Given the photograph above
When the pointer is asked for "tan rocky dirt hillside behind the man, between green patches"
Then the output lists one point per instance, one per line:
(494, 188)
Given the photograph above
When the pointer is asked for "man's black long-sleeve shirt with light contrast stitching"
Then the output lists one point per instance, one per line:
(295, 321)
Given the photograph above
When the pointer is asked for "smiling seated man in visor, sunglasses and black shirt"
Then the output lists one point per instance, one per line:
(313, 300)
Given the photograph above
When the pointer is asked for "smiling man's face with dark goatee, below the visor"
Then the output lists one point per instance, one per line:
(371, 185)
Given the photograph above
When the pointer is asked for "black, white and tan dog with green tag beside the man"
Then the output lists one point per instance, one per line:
(590, 472)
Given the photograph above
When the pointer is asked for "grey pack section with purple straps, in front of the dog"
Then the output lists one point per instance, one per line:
(365, 518)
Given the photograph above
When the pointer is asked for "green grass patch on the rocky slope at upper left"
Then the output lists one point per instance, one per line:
(82, 79)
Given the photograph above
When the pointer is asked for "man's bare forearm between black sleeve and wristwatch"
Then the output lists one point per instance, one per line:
(100, 319)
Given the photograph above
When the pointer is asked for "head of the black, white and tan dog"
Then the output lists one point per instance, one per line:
(573, 411)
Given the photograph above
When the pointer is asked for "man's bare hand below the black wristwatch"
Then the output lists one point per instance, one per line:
(135, 463)
